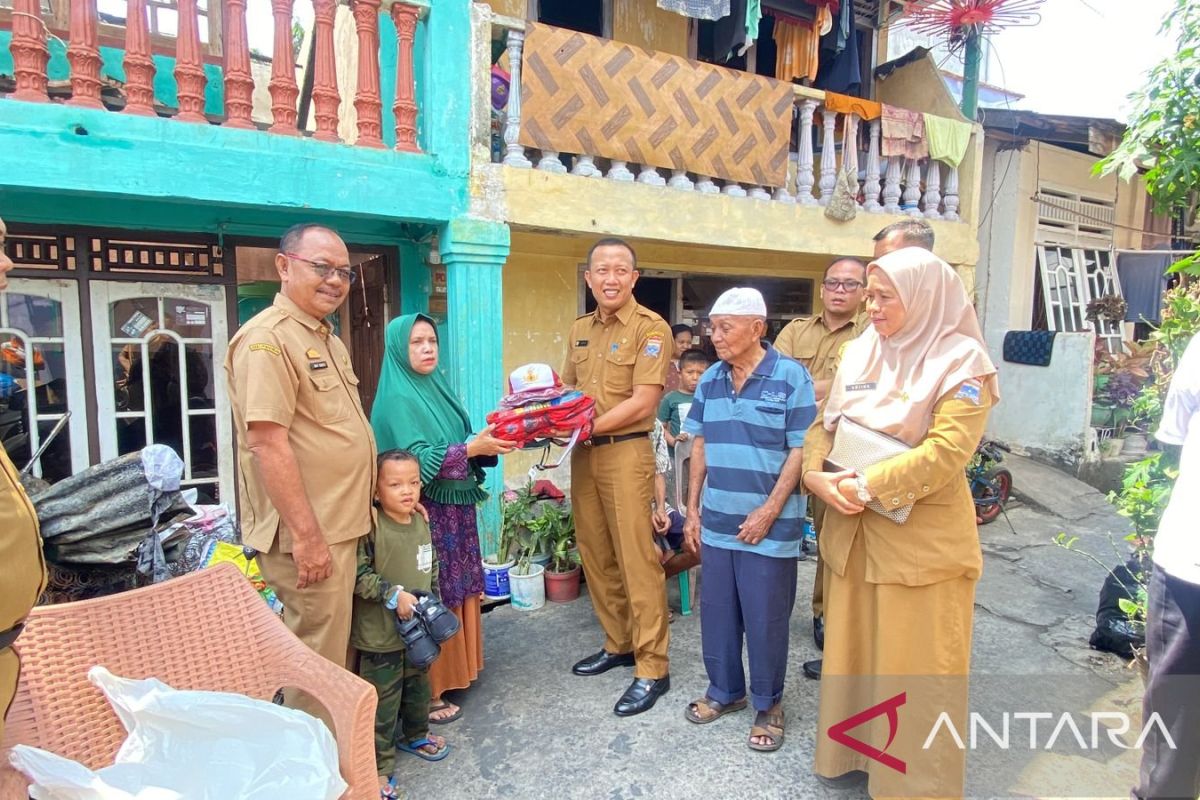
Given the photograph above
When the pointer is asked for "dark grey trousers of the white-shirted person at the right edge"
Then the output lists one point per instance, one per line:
(1173, 690)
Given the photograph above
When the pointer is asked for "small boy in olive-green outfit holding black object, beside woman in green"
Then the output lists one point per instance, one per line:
(395, 561)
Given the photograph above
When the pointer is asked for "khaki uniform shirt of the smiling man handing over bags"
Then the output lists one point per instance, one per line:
(607, 360)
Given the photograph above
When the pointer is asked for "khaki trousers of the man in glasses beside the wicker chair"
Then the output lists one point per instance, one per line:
(320, 615)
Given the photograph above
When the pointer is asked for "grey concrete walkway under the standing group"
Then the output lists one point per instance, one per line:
(533, 730)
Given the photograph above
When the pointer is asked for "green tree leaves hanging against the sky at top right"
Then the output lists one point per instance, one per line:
(1165, 128)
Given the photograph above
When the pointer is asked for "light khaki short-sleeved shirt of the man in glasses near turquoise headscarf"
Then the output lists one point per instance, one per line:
(287, 368)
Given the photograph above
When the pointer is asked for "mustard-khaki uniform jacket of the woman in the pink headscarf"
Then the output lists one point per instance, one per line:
(940, 540)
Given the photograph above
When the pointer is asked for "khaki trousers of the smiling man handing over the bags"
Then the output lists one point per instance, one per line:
(613, 488)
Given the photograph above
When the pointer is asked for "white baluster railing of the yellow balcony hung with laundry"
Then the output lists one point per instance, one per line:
(901, 187)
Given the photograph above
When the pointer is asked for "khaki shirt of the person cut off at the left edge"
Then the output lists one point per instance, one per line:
(22, 567)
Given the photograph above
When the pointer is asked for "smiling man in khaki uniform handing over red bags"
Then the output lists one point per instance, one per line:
(620, 356)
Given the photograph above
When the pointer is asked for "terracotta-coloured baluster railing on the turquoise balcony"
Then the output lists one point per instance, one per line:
(139, 57)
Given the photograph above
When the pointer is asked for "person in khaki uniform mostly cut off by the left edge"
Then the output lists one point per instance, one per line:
(22, 569)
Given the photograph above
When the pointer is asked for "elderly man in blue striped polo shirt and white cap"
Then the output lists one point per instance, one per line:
(748, 420)
